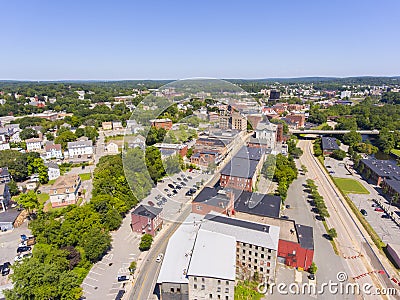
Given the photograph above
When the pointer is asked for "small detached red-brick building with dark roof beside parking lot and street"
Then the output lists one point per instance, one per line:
(146, 219)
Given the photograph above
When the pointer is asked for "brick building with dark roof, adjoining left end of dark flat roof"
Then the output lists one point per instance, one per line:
(210, 200)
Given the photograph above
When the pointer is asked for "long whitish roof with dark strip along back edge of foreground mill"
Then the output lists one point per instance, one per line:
(258, 234)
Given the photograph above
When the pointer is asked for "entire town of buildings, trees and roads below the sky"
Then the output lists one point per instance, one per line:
(203, 189)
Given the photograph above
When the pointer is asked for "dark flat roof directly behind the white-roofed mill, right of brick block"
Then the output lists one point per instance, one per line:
(258, 204)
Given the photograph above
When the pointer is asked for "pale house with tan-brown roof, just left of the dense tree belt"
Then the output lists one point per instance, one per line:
(65, 190)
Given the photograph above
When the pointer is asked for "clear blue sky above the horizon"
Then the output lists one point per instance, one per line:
(155, 39)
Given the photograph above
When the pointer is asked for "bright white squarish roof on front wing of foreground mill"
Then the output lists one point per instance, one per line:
(214, 255)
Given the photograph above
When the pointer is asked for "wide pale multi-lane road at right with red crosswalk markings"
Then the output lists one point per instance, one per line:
(352, 239)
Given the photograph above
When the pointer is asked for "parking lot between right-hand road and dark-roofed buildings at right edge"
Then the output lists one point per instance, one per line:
(386, 228)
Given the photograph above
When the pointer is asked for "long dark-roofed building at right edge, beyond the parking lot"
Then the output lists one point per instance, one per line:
(376, 170)
